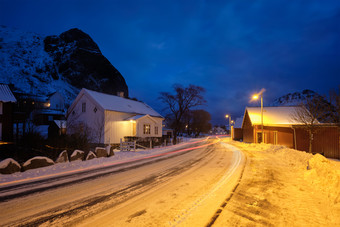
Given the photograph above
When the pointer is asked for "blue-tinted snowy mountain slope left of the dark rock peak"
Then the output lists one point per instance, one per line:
(25, 64)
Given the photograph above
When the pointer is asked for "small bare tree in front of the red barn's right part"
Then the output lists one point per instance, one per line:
(309, 113)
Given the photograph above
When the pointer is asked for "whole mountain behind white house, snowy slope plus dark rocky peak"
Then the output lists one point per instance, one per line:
(66, 63)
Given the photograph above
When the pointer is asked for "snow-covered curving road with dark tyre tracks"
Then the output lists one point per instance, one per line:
(177, 188)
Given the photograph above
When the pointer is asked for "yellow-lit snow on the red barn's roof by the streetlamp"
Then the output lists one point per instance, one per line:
(281, 115)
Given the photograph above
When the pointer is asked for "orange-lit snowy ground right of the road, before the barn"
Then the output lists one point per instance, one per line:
(284, 187)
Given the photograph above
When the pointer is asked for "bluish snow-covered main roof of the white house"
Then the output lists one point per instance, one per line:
(115, 103)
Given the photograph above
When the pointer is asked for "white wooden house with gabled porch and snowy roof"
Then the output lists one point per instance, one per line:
(109, 118)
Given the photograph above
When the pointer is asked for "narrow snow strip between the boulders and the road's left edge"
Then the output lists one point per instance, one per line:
(78, 166)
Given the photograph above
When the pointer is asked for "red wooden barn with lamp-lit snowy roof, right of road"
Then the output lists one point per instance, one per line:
(280, 128)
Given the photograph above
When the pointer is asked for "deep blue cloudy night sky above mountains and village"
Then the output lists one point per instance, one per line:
(231, 48)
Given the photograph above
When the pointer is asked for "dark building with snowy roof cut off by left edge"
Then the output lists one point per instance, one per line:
(6, 113)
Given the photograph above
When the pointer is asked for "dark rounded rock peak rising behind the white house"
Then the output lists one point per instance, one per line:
(79, 59)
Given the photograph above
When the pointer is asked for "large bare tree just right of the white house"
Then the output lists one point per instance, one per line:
(181, 102)
